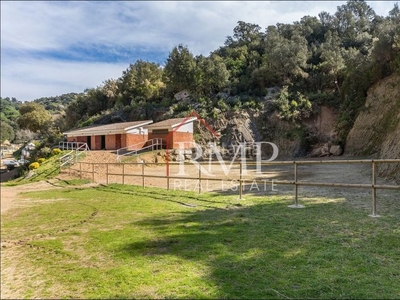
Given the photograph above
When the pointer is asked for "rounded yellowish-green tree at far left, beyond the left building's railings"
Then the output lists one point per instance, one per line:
(34, 117)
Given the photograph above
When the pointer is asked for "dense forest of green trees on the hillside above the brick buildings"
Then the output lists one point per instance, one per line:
(329, 59)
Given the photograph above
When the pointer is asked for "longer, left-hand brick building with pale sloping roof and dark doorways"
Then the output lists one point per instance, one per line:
(111, 136)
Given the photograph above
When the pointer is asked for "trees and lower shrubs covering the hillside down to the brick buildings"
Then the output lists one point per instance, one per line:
(281, 77)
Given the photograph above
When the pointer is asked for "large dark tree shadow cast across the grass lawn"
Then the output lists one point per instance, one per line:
(270, 251)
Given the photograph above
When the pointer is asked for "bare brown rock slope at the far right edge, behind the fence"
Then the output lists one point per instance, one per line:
(377, 128)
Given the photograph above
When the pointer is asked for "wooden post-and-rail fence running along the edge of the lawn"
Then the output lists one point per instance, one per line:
(241, 180)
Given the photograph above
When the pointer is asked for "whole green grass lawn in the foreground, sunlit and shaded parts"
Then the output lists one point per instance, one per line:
(127, 242)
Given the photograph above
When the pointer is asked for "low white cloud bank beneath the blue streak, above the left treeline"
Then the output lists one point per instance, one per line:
(36, 78)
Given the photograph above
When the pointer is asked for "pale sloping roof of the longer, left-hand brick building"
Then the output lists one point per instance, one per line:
(115, 128)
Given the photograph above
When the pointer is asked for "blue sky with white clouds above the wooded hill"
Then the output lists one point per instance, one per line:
(50, 48)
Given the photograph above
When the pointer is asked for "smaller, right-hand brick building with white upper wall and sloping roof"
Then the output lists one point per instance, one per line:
(177, 133)
